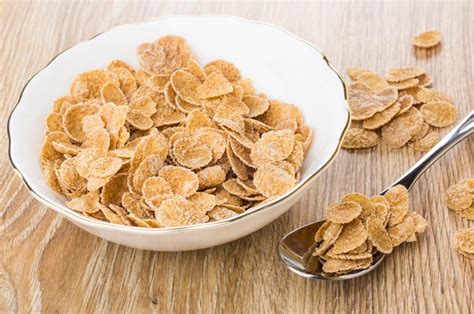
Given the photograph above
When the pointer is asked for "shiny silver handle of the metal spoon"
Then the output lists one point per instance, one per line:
(460, 131)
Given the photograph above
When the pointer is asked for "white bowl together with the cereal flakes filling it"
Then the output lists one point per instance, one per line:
(179, 133)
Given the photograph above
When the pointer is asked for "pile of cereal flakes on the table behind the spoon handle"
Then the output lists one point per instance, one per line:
(400, 107)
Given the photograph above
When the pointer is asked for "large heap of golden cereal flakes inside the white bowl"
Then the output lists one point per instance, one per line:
(170, 144)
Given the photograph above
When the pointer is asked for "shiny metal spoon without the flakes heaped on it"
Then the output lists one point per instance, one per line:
(296, 248)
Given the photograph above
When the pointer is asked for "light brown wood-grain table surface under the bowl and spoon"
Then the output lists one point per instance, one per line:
(47, 264)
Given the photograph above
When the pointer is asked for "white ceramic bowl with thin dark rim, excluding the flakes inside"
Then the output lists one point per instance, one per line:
(280, 64)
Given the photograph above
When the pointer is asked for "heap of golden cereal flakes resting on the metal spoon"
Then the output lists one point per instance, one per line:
(358, 227)
